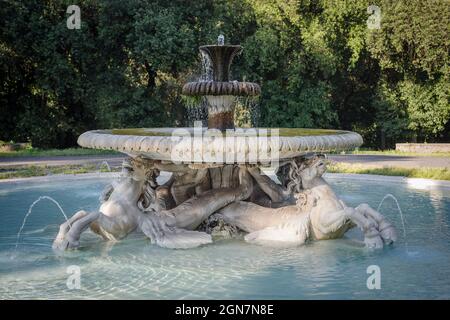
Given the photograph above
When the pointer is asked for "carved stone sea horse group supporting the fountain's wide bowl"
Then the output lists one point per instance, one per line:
(303, 207)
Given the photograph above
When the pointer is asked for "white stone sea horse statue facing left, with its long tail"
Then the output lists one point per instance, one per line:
(137, 202)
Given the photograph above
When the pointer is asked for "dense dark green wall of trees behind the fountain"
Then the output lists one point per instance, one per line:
(318, 63)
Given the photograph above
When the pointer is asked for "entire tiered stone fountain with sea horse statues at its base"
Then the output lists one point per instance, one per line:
(217, 185)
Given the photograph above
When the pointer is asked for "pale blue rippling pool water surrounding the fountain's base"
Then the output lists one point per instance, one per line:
(415, 267)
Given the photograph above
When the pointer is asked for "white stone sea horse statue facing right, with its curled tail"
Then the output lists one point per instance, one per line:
(317, 213)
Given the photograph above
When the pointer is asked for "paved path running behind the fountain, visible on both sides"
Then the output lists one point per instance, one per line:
(115, 161)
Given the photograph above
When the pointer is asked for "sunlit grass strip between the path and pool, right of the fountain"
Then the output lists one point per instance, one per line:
(427, 173)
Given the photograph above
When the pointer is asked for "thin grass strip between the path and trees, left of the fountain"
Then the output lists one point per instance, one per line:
(35, 152)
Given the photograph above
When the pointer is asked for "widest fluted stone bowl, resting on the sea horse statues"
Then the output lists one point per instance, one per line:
(198, 145)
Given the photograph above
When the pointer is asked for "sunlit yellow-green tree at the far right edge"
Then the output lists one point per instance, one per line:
(412, 48)
